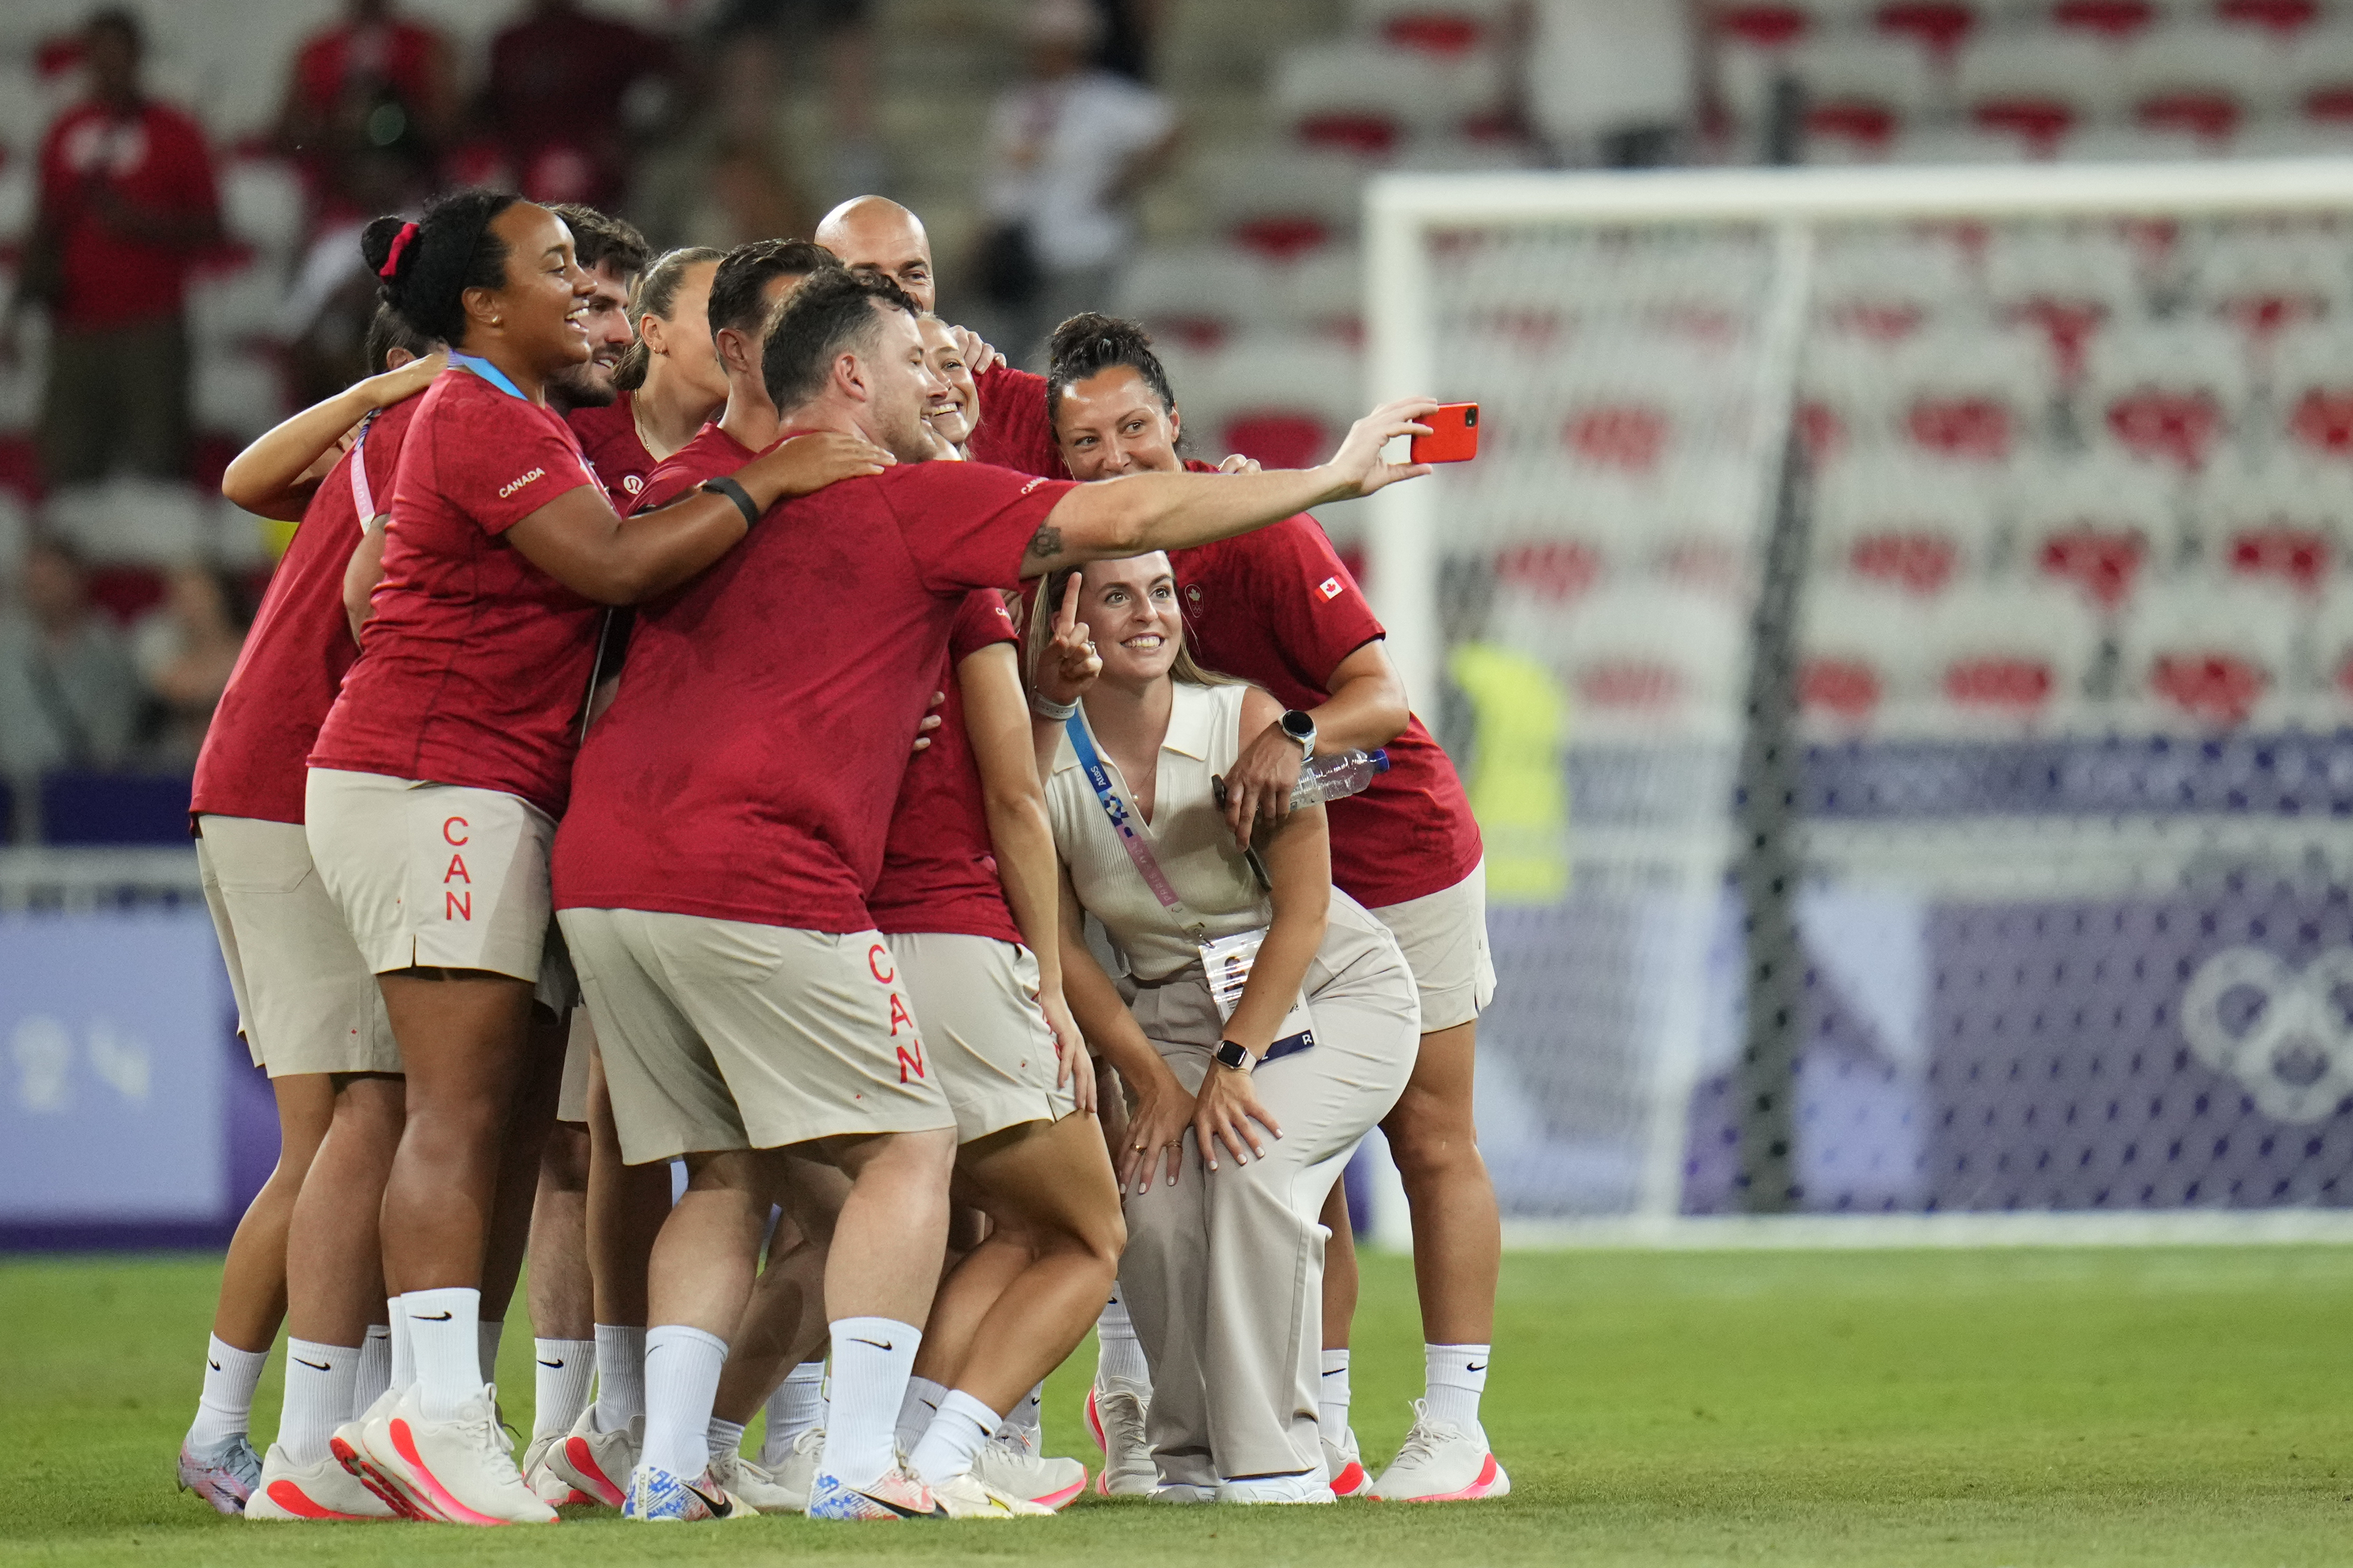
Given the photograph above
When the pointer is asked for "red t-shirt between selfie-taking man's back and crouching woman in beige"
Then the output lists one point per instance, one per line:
(940, 868)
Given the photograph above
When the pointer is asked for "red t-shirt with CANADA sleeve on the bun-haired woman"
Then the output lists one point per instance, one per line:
(476, 663)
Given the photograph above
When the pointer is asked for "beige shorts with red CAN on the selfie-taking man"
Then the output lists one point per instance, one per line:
(724, 1035)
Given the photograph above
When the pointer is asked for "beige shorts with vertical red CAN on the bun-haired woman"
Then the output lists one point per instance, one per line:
(439, 875)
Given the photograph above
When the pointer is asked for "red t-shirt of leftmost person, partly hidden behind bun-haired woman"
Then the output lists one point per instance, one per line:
(295, 658)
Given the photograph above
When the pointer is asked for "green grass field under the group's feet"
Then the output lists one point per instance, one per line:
(2086, 1407)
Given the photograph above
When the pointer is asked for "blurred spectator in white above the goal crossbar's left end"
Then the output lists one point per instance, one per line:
(1613, 84)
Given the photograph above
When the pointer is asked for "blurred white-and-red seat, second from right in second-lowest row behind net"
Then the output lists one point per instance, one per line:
(2095, 526)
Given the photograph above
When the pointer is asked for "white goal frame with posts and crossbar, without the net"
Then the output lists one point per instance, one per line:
(1401, 540)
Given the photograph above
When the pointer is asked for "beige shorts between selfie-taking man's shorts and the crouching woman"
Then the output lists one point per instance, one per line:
(989, 1039)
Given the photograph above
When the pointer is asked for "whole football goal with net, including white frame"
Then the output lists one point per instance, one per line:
(1900, 646)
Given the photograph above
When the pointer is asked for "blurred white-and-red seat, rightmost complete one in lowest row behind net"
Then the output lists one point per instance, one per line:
(2211, 656)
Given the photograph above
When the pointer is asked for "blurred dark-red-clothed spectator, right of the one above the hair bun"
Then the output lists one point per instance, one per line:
(566, 91)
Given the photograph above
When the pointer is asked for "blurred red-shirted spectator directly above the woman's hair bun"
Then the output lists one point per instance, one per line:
(368, 86)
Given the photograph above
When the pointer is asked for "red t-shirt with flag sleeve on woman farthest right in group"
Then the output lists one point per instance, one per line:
(1279, 609)
